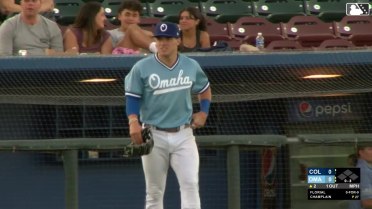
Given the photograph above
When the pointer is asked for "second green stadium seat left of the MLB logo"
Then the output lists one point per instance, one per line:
(279, 10)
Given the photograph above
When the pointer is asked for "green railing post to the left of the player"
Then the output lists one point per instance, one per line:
(70, 165)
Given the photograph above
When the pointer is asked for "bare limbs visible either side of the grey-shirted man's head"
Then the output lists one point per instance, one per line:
(11, 7)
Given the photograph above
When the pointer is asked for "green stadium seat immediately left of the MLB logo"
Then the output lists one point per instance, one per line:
(327, 10)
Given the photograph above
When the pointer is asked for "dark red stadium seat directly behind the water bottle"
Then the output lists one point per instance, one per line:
(246, 28)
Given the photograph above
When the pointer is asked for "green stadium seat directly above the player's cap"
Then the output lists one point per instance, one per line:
(168, 10)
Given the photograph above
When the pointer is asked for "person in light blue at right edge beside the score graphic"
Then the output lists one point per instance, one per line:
(364, 154)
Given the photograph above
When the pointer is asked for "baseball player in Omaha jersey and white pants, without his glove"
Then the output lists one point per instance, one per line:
(158, 88)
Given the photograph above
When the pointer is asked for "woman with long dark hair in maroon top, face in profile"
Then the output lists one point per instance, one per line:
(88, 34)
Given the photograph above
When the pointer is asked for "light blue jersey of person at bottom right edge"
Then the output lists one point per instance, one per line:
(365, 184)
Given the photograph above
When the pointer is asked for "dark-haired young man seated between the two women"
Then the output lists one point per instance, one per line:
(130, 37)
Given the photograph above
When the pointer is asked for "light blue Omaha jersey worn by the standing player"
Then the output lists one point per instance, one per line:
(165, 92)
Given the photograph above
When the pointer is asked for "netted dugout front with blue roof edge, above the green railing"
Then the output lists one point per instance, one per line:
(258, 93)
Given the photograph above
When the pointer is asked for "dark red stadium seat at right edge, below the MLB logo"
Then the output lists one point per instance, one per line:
(357, 29)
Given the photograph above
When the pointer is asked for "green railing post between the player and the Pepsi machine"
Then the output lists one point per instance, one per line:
(233, 177)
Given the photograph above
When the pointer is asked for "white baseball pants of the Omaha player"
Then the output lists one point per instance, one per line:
(179, 150)
